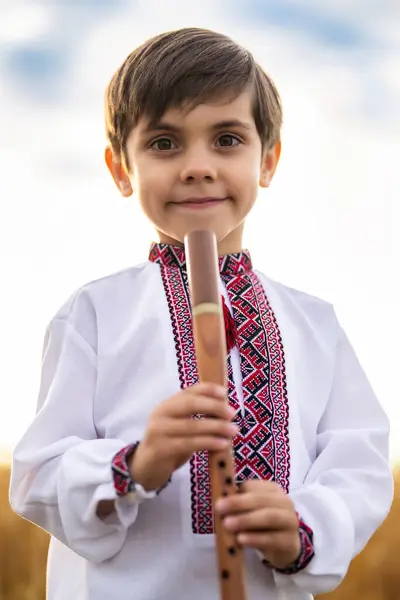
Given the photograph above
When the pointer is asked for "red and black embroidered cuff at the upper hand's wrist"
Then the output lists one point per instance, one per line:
(123, 482)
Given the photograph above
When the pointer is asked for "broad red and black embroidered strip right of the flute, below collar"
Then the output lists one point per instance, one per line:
(262, 445)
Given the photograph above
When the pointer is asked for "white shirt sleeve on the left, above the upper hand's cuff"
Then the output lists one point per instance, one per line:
(60, 469)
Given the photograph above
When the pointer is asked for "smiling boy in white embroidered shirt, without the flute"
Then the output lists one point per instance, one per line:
(114, 466)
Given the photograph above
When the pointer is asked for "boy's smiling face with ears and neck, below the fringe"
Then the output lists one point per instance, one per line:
(198, 170)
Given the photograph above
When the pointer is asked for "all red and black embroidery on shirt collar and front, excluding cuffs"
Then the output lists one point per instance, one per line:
(262, 445)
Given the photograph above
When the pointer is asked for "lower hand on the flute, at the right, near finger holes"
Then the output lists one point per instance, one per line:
(263, 517)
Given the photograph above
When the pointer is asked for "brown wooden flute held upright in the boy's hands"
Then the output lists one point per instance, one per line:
(211, 353)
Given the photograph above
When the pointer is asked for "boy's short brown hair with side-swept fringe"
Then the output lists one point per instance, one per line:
(187, 65)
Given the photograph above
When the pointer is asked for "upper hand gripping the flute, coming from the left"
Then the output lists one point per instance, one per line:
(172, 435)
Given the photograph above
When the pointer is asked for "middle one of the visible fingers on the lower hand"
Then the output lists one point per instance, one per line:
(261, 520)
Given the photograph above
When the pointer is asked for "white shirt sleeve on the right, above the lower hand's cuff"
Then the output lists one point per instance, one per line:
(348, 490)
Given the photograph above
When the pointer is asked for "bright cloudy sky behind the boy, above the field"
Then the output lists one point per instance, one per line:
(327, 225)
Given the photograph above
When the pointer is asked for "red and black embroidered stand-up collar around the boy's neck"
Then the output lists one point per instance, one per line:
(174, 256)
